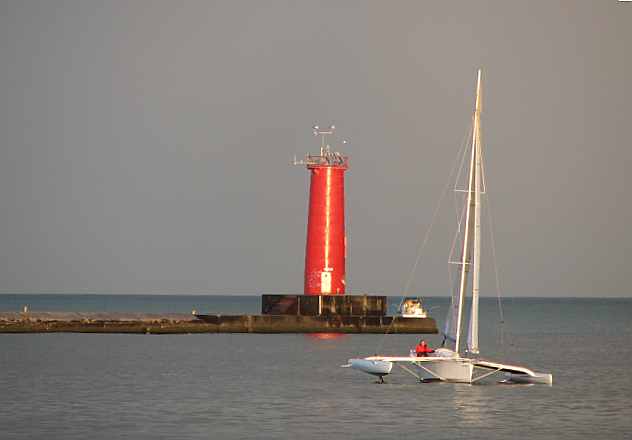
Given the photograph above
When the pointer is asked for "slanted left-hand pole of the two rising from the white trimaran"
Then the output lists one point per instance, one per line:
(471, 202)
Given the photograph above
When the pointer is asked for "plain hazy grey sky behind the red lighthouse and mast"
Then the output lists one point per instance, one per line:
(145, 145)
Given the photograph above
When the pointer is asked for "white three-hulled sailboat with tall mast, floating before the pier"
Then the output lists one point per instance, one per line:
(459, 364)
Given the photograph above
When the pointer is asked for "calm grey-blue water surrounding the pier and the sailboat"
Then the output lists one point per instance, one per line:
(71, 386)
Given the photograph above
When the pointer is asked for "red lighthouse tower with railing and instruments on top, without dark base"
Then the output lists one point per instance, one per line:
(325, 250)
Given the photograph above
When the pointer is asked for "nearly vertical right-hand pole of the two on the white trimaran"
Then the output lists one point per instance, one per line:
(476, 145)
